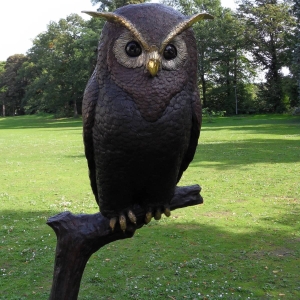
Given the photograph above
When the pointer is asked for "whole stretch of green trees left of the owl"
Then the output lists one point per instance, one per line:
(52, 76)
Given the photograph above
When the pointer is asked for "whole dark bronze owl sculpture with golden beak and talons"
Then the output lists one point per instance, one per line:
(141, 110)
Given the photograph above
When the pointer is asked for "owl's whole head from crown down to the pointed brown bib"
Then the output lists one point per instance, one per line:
(149, 52)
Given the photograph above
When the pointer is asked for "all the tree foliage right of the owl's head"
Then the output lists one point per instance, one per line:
(234, 47)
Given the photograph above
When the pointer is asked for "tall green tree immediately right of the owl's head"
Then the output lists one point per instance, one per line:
(223, 66)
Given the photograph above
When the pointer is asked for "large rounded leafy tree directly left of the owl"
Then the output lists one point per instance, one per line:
(59, 66)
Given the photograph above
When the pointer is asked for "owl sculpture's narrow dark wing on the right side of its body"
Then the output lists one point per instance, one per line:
(195, 132)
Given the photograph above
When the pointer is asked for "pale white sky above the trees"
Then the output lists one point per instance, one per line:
(21, 21)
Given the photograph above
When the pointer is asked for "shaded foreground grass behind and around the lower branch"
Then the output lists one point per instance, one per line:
(188, 257)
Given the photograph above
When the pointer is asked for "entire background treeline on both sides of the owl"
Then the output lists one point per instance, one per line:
(261, 37)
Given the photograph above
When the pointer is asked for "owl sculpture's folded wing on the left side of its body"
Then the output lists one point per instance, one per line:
(90, 98)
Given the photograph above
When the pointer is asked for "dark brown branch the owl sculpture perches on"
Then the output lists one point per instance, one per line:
(79, 236)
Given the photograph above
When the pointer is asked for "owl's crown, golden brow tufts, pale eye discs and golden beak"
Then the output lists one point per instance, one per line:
(152, 38)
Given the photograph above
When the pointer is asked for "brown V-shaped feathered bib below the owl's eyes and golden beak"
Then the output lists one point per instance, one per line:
(152, 95)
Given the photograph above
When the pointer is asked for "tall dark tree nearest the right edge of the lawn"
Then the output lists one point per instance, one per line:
(268, 23)
